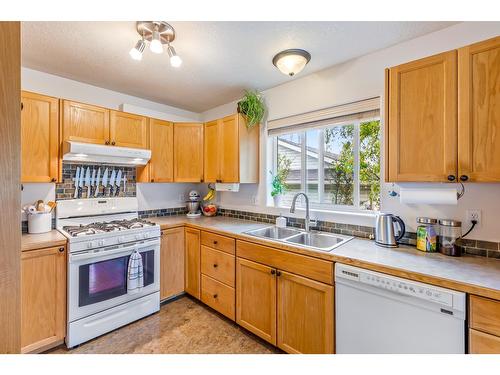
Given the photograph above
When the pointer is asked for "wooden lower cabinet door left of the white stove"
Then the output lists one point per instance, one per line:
(43, 298)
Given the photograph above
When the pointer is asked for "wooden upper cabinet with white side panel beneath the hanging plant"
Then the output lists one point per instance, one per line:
(231, 151)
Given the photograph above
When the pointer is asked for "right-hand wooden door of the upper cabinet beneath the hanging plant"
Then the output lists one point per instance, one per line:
(230, 150)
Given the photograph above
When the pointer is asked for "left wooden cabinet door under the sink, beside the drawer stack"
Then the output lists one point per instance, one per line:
(256, 298)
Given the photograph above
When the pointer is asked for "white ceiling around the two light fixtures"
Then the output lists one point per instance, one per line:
(220, 59)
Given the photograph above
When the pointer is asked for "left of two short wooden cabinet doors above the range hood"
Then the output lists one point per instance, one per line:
(85, 123)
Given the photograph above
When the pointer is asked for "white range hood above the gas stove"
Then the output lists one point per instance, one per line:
(91, 153)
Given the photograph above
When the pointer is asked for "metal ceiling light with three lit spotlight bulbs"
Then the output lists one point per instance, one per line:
(157, 33)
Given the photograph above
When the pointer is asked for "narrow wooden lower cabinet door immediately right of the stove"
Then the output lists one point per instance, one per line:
(172, 263)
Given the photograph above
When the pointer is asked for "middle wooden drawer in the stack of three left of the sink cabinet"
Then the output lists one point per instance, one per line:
(218, 265)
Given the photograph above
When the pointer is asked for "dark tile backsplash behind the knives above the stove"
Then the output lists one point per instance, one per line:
(66, 188)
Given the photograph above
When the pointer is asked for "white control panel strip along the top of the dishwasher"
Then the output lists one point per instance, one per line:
(398, 285)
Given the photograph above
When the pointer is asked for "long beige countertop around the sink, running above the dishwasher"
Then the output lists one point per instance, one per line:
(477, 275)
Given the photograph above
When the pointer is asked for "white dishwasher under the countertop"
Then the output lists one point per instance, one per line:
(378, 313)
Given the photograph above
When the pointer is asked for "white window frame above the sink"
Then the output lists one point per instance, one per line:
(322, 205)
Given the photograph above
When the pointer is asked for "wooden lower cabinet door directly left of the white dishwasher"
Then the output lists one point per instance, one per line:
(305, 315)
